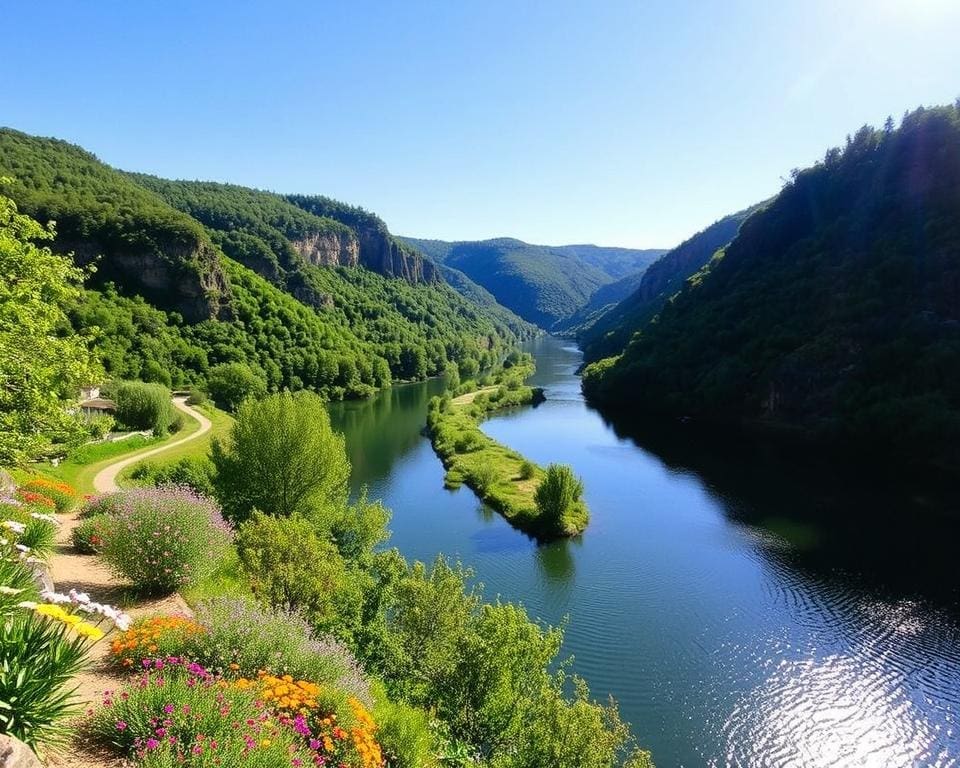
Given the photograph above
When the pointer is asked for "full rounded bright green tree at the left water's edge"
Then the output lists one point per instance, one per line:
(283, 458)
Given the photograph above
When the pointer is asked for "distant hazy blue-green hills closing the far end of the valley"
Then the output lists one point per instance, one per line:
(542, 284)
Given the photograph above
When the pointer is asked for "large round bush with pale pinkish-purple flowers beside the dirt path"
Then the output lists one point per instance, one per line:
(164, 538)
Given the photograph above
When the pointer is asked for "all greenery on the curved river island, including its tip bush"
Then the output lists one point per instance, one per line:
(501, 477)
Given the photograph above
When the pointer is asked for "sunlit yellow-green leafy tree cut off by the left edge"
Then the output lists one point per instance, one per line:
(42, 365)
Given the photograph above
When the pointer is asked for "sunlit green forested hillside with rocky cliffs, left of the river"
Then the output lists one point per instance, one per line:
(191, 276)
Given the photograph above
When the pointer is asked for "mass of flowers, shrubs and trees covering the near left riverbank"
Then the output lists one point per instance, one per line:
(312, 643)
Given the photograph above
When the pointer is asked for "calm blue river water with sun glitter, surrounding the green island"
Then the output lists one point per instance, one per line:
(744, 610)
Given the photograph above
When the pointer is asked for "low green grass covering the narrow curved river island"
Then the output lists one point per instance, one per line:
(500, 476)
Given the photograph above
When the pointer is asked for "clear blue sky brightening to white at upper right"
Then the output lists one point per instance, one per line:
(610, 121)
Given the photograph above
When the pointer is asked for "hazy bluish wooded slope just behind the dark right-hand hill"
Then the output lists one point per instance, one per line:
(604, 333)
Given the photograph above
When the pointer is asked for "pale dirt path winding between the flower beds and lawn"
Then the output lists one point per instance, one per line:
(86, 573)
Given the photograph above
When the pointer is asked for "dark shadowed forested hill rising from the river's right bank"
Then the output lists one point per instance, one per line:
(834, 313)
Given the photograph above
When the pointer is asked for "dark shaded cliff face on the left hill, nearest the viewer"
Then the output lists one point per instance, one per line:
(184, 277)
